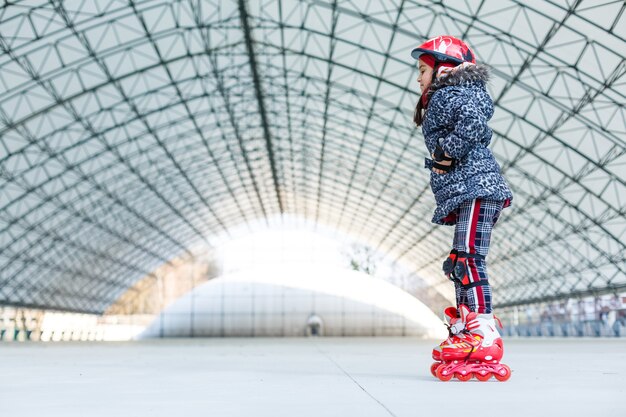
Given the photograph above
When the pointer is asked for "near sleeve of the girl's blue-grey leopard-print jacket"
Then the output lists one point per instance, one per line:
(470, 125)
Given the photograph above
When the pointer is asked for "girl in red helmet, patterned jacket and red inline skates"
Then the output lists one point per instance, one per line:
(470, 192)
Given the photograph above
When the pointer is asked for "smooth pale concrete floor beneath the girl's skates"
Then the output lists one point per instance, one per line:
(304, 377)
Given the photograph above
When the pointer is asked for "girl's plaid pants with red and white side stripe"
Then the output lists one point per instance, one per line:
(474, 222)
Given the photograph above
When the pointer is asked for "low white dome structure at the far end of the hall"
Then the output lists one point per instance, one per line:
(280, 302)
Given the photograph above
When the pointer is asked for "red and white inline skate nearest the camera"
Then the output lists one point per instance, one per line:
(475, 352)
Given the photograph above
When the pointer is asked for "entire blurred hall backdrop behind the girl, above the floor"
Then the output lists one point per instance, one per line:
(215, 168)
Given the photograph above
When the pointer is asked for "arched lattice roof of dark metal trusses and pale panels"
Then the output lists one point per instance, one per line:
(133, 132)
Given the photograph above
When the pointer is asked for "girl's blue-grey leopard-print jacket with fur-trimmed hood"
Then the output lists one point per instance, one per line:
(456, 117)
